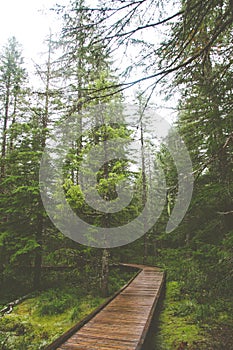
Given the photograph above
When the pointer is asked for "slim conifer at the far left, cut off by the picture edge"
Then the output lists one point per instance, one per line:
(12, 102)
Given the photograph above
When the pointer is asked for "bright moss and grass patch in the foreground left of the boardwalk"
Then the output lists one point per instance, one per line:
(31, 327)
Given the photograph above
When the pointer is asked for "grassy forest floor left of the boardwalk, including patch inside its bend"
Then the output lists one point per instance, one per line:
(47, 314)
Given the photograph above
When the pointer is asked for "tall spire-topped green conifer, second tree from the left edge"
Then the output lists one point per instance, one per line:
(23, 243)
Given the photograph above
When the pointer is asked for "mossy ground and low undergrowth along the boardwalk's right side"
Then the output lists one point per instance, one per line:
(190, 317)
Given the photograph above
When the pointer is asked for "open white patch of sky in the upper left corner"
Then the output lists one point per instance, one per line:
(29, 21)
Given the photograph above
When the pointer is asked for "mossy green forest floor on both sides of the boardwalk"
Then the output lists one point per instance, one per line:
(184, 321)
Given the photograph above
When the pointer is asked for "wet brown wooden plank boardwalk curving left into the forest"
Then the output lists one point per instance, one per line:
(124, 322)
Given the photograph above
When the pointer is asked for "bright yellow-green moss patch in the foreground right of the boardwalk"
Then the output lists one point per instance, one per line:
(186, 324)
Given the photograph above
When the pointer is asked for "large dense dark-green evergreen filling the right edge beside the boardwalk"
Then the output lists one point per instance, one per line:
(205, 123)
